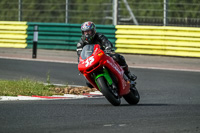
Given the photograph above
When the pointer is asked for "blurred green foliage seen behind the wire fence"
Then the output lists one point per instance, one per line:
(84, 10)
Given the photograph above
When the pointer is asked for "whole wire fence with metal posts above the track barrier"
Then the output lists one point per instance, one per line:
(158, 12)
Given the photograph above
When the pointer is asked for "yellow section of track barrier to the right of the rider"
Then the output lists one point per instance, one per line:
(158, 40)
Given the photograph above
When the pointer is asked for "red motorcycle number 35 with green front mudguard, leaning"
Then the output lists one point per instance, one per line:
(105, 74)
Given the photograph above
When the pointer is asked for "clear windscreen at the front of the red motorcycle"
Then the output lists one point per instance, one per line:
(87, 51)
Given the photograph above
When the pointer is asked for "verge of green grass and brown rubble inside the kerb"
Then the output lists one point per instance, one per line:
(29, 87)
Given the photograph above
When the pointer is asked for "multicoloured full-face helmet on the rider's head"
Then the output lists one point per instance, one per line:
(88, 31)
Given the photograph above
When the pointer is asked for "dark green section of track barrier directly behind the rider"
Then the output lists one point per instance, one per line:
(62, 35)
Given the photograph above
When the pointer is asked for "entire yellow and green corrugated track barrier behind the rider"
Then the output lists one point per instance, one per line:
(153, 40)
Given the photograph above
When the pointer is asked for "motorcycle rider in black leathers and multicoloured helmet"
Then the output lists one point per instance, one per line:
(90, 36)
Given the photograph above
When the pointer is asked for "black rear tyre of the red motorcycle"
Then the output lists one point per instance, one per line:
(133, 96)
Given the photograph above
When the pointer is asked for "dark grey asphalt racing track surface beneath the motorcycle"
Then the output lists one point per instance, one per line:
(170, 103)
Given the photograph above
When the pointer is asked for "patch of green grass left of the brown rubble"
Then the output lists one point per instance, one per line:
(25, 87)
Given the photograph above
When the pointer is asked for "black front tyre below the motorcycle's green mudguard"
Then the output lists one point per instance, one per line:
(111, 95)
